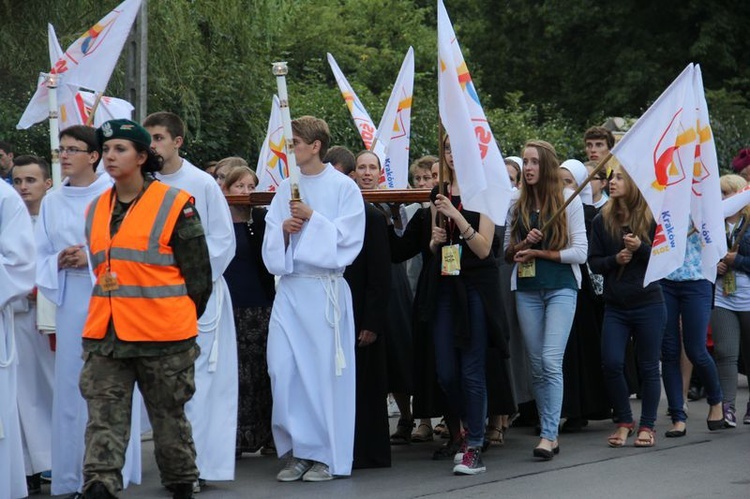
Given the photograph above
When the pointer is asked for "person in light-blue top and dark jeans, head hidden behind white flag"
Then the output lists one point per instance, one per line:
(689, 297)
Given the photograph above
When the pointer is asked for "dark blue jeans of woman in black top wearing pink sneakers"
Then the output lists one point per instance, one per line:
(462, 370)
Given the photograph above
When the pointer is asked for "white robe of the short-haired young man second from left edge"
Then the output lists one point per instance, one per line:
(36, 375)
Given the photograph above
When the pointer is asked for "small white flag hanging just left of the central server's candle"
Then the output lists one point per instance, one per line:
(272, 164)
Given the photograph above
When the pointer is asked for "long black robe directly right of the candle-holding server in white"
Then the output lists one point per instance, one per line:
(369, 280)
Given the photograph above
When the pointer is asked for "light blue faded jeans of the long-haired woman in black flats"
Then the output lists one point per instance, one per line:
(545, 317)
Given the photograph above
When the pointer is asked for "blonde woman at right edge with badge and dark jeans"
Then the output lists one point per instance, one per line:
(730, 318)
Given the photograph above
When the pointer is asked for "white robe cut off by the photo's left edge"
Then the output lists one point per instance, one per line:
(16, 280)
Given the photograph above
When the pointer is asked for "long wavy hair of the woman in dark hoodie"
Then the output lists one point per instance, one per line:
(630, 210)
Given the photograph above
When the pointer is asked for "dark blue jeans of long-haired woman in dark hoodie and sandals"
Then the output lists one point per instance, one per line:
(646, 325)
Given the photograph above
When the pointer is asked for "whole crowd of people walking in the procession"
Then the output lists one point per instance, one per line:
(136, 298)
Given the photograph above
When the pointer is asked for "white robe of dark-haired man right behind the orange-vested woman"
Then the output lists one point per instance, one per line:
(213, 409)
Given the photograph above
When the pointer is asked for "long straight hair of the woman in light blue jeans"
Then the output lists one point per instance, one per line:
(549, 191)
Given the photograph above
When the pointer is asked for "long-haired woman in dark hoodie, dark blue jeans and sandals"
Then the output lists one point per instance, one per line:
(619, 249)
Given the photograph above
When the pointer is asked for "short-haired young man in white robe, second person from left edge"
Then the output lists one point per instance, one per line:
(36, 359)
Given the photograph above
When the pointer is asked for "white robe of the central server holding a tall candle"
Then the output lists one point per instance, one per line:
(313, 390)
